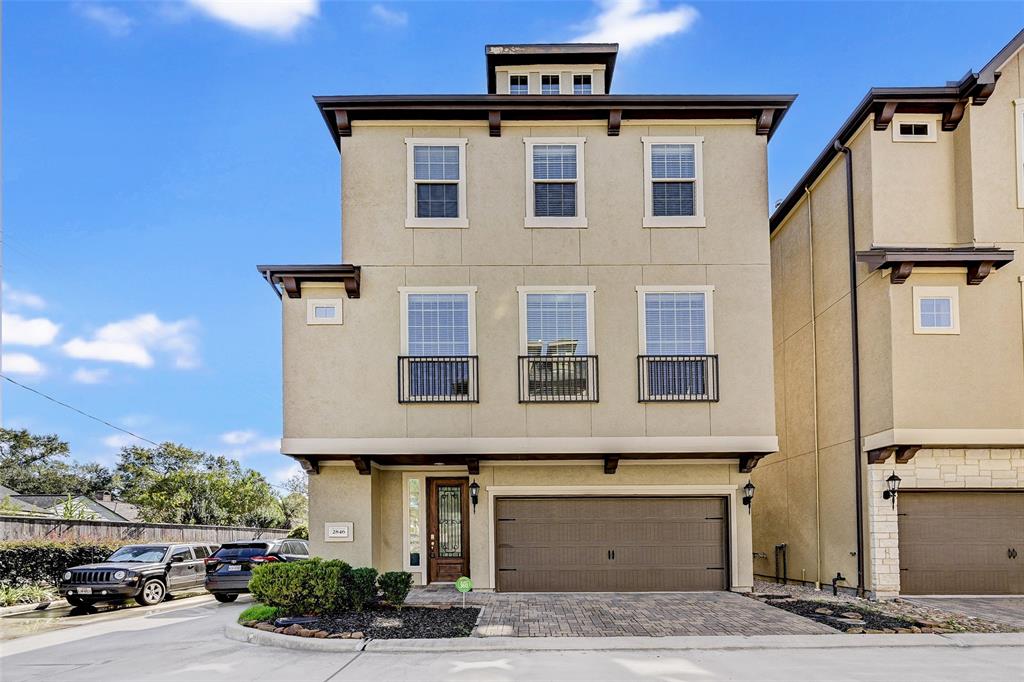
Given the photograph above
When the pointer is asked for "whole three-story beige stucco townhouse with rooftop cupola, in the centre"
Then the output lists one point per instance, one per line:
(546, 361)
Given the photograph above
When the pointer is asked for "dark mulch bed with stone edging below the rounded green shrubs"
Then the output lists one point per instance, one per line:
(386, 623)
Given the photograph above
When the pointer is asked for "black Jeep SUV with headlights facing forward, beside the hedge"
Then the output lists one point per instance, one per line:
(144, 573)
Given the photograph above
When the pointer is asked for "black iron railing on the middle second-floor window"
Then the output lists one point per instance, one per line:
(559, 379)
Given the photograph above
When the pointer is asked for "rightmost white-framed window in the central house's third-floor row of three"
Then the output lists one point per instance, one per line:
(673, 183)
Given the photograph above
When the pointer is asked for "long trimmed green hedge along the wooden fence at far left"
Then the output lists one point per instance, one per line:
(28, 562)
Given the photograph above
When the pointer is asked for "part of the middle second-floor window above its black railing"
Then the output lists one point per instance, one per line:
(558, 325)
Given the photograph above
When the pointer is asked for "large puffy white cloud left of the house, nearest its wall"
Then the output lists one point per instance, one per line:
(134, 343)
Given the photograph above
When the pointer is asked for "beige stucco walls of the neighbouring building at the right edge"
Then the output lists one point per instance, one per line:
(960, 396)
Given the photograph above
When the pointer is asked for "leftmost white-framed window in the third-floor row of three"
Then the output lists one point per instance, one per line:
(437, 180)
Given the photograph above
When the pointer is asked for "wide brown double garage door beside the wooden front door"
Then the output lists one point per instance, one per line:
(611, 544)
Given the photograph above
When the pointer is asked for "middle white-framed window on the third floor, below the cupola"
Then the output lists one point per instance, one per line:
(554, 176)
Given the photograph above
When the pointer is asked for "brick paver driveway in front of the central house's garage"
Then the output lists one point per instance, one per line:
(621, 615)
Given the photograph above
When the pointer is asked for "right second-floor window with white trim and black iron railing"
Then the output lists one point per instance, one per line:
(677, 361)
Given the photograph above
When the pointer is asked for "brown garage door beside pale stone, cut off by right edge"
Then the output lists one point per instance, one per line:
(962, 543)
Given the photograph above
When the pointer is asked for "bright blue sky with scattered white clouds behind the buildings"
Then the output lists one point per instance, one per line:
(154, 153)
